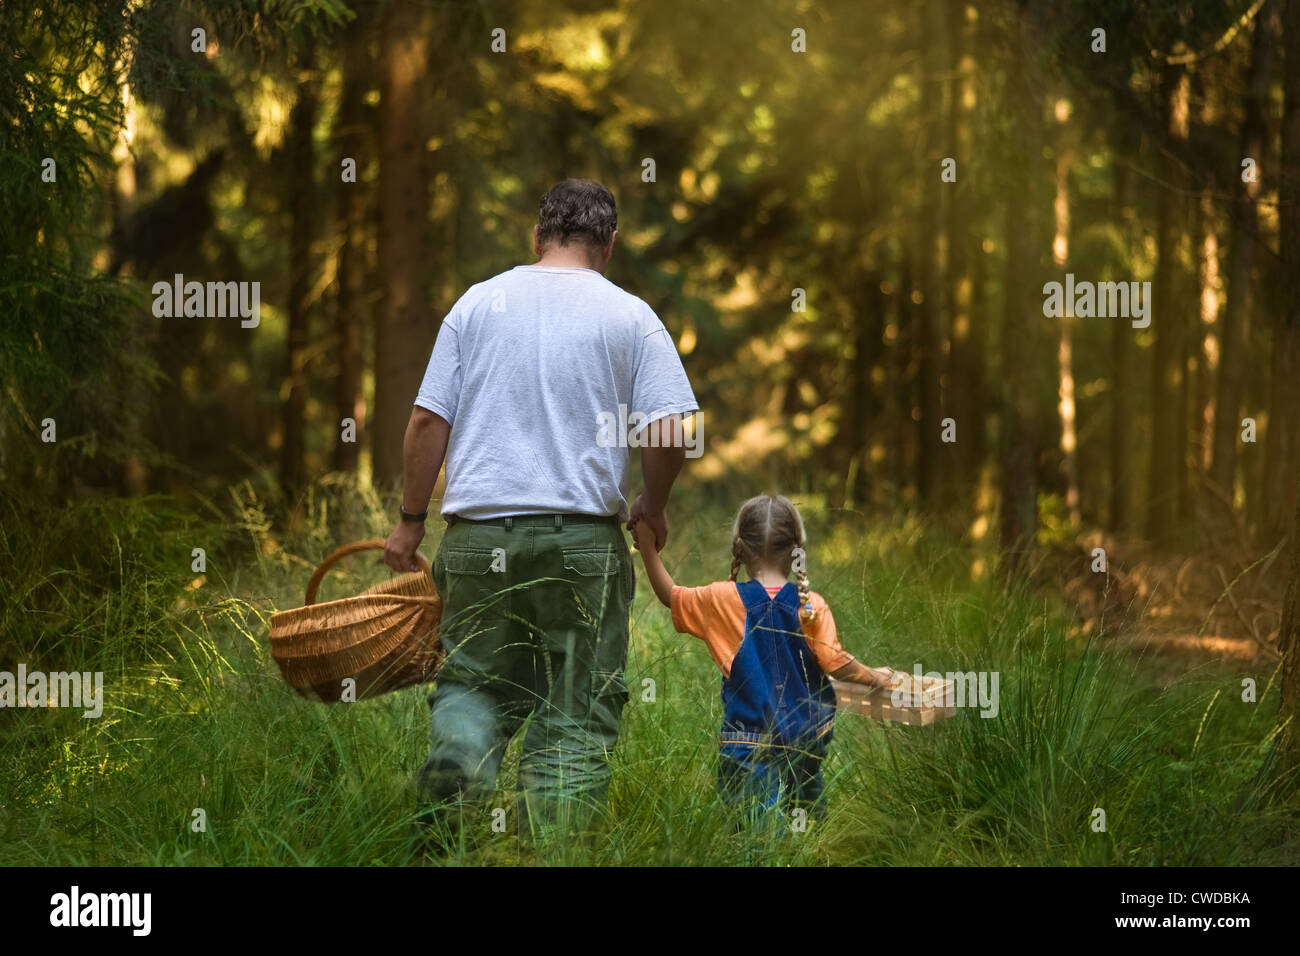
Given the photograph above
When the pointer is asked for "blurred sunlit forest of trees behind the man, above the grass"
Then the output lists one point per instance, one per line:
(783, 206)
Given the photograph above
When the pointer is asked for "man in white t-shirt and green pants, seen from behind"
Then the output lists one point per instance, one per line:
(534, 570)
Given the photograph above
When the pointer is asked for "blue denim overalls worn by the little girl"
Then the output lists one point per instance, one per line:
(778, 708)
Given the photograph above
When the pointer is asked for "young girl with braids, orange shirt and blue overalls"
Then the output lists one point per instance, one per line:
(775, 644)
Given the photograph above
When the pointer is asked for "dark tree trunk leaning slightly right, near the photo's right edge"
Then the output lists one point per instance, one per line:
(1236, 335)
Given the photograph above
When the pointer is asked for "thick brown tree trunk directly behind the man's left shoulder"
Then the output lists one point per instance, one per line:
(405, 330)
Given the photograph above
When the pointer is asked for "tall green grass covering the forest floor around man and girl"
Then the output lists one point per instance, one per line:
(197, 716)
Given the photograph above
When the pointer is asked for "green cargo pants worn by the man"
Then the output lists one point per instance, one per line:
(535, 621)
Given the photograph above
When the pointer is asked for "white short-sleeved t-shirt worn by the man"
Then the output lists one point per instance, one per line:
(531, 367)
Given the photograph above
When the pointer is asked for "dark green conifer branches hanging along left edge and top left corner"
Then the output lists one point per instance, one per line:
(71, 345)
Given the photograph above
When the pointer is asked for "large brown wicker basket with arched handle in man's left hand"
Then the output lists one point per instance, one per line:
(384, 639)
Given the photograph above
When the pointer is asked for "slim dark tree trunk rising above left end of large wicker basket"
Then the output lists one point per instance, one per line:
(300, 157)
